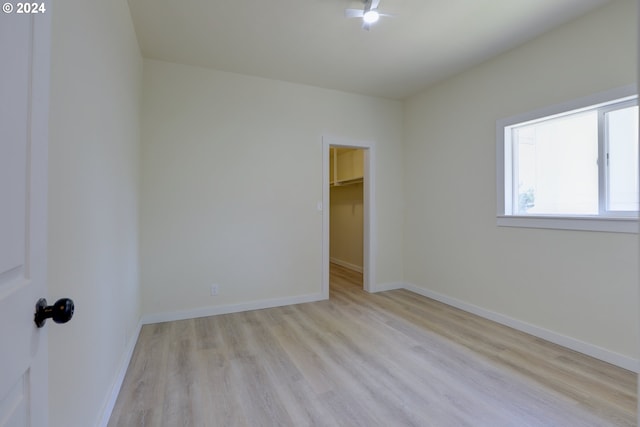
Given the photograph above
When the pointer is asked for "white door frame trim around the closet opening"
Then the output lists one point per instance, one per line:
(368, 232)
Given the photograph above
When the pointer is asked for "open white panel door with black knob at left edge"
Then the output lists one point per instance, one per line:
(24, 103)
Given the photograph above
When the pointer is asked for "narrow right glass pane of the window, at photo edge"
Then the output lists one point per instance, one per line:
(622, 138)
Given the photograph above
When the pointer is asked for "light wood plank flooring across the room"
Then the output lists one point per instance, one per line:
(388, 359)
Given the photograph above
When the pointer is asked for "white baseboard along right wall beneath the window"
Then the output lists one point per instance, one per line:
(563, 340)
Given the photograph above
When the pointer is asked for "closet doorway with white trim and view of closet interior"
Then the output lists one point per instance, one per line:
(348, 179)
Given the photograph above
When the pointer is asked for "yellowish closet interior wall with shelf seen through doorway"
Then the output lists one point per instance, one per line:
(346, 207)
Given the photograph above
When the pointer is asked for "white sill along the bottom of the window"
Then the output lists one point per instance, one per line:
(604, 224)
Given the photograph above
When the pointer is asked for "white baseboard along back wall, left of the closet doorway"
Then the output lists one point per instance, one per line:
(226, 309)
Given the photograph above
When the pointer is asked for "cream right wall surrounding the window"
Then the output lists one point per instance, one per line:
(583, 285)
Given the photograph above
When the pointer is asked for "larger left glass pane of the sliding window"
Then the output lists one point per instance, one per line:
(555, 167)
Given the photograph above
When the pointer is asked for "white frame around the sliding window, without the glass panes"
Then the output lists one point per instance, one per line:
(617, 222)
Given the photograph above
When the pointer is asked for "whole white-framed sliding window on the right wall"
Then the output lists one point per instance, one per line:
(571, 166)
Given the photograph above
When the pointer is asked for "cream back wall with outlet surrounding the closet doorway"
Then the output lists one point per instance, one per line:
(231, 175)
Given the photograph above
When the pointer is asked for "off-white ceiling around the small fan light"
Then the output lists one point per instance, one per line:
(312, 43)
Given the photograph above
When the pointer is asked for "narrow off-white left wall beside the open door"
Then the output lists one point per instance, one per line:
(93, 203)
